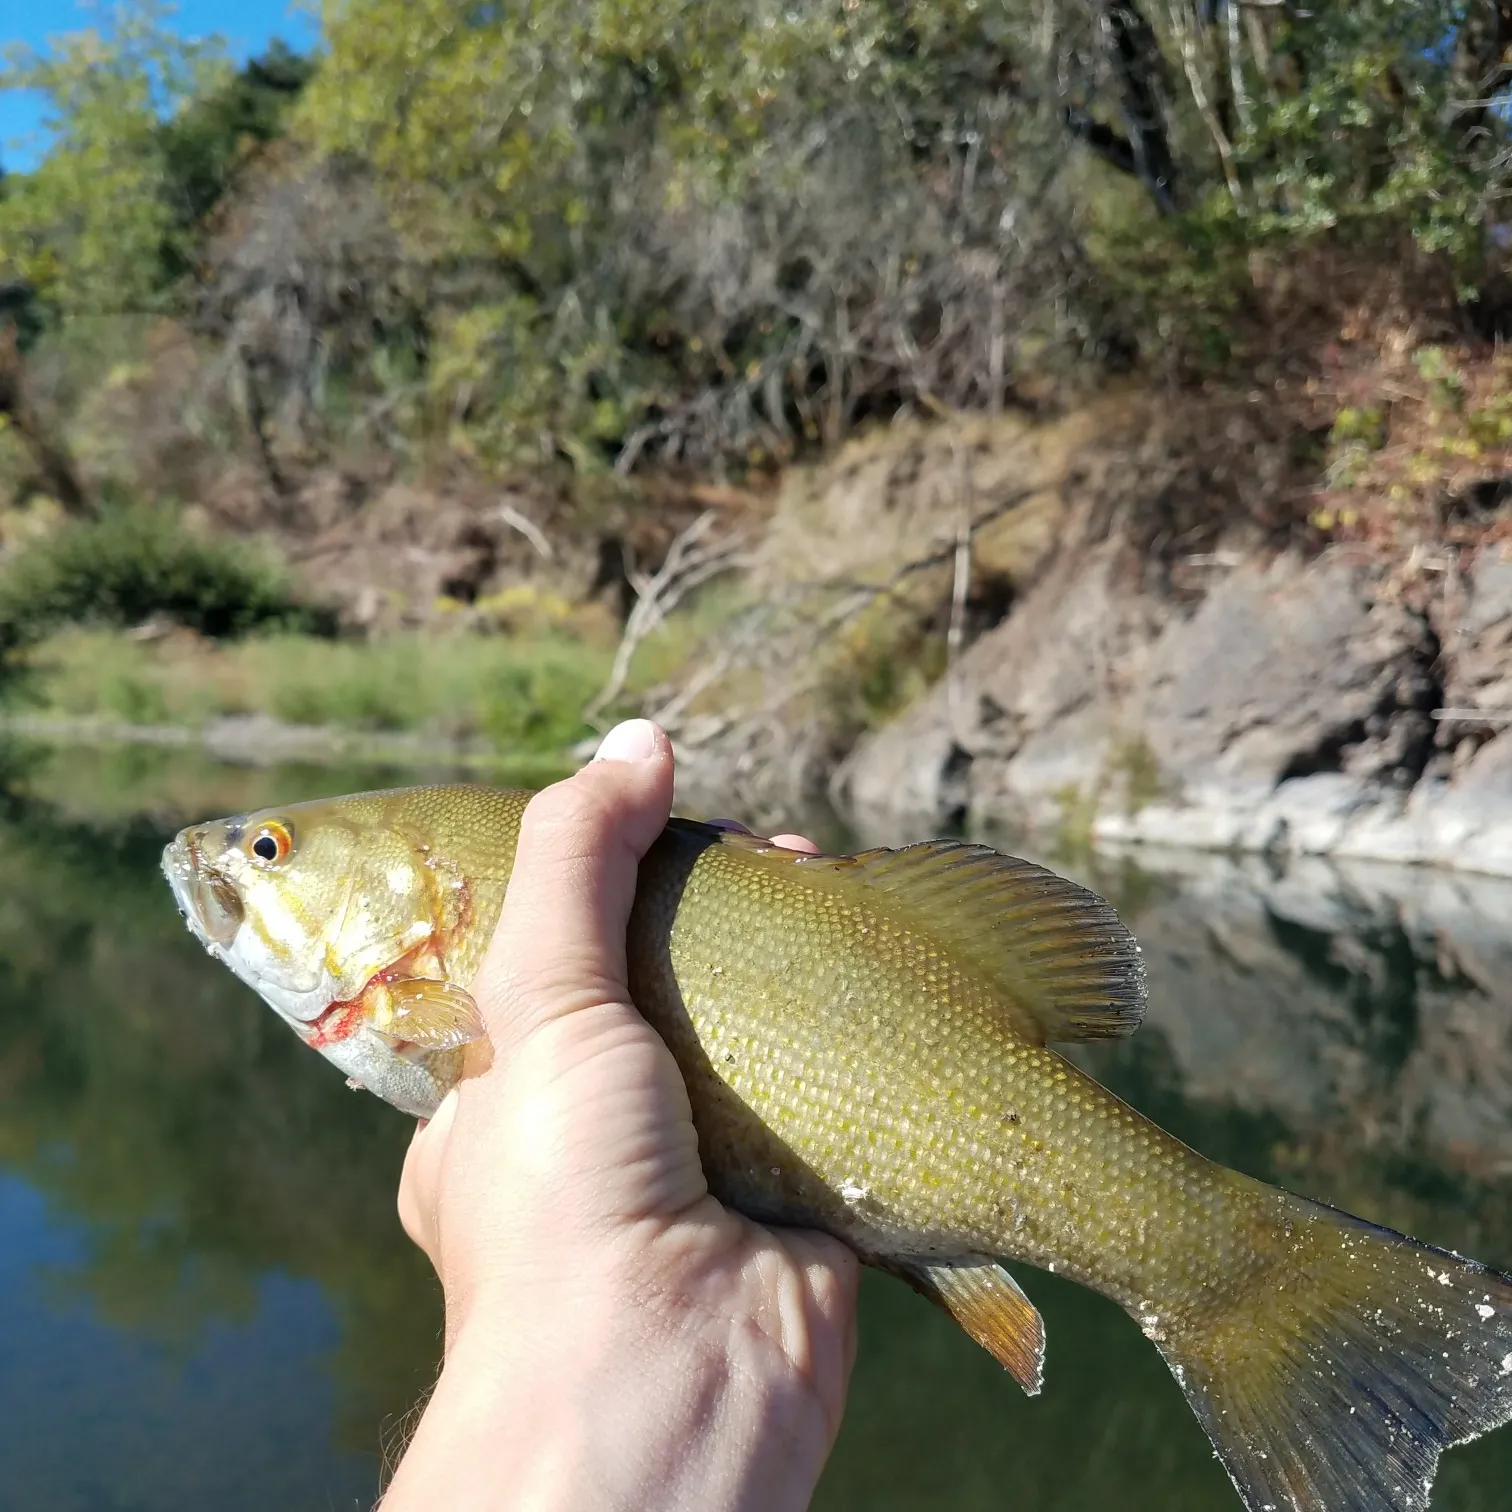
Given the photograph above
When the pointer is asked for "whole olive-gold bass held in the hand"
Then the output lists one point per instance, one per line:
(869, 1046)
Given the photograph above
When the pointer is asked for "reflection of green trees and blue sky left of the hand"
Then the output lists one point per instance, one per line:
(200, 1163)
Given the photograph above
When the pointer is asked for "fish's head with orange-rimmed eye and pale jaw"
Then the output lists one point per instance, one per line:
(327, 911)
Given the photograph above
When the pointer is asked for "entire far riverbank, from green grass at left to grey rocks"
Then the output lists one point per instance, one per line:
(941, 627)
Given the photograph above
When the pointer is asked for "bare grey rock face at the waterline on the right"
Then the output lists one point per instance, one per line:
(1318, 705)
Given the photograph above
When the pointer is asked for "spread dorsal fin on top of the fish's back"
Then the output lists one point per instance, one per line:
(1062, 958)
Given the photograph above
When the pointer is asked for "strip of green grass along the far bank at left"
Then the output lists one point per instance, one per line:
(506, 693)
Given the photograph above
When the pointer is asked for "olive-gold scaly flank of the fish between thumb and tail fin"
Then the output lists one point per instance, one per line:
(792, 994)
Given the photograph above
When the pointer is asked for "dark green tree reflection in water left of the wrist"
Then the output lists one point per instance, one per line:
(150, 1095)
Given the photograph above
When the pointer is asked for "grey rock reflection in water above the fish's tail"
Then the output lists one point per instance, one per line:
(1363, 1012)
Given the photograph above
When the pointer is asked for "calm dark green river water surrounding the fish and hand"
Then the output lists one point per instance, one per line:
(206, 1301)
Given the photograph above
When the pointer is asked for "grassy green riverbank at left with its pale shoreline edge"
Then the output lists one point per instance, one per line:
(453, 696)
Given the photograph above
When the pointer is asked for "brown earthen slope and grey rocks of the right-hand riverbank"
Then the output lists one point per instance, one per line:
(1145, 628)
